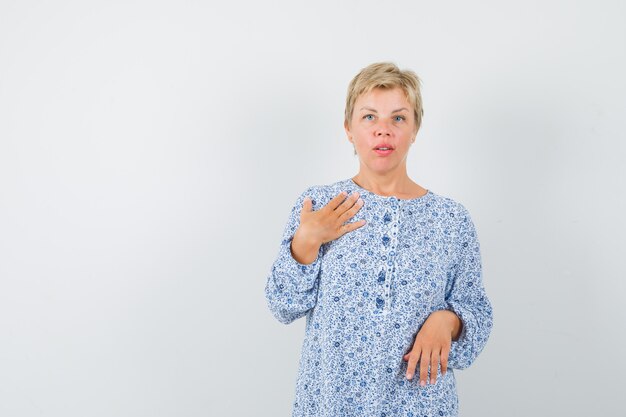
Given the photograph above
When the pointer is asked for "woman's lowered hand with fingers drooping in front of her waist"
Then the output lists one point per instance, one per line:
(432, 345)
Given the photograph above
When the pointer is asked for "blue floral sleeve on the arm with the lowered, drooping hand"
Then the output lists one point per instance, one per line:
(467, 297)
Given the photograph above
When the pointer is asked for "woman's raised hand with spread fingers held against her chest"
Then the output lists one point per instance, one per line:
(324, 225)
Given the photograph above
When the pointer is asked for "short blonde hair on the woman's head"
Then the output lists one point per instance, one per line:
(385, 75)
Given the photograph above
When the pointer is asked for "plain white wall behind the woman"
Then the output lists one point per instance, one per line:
(150, 152)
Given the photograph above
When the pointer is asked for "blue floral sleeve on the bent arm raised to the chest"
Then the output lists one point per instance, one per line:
(291, 288)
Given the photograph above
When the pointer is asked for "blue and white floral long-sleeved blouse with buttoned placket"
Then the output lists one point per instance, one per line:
(366, 296)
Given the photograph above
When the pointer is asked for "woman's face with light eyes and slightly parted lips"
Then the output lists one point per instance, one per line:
(383, 117)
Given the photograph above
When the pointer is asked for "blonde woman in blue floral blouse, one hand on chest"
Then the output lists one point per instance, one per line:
(388, 273)
